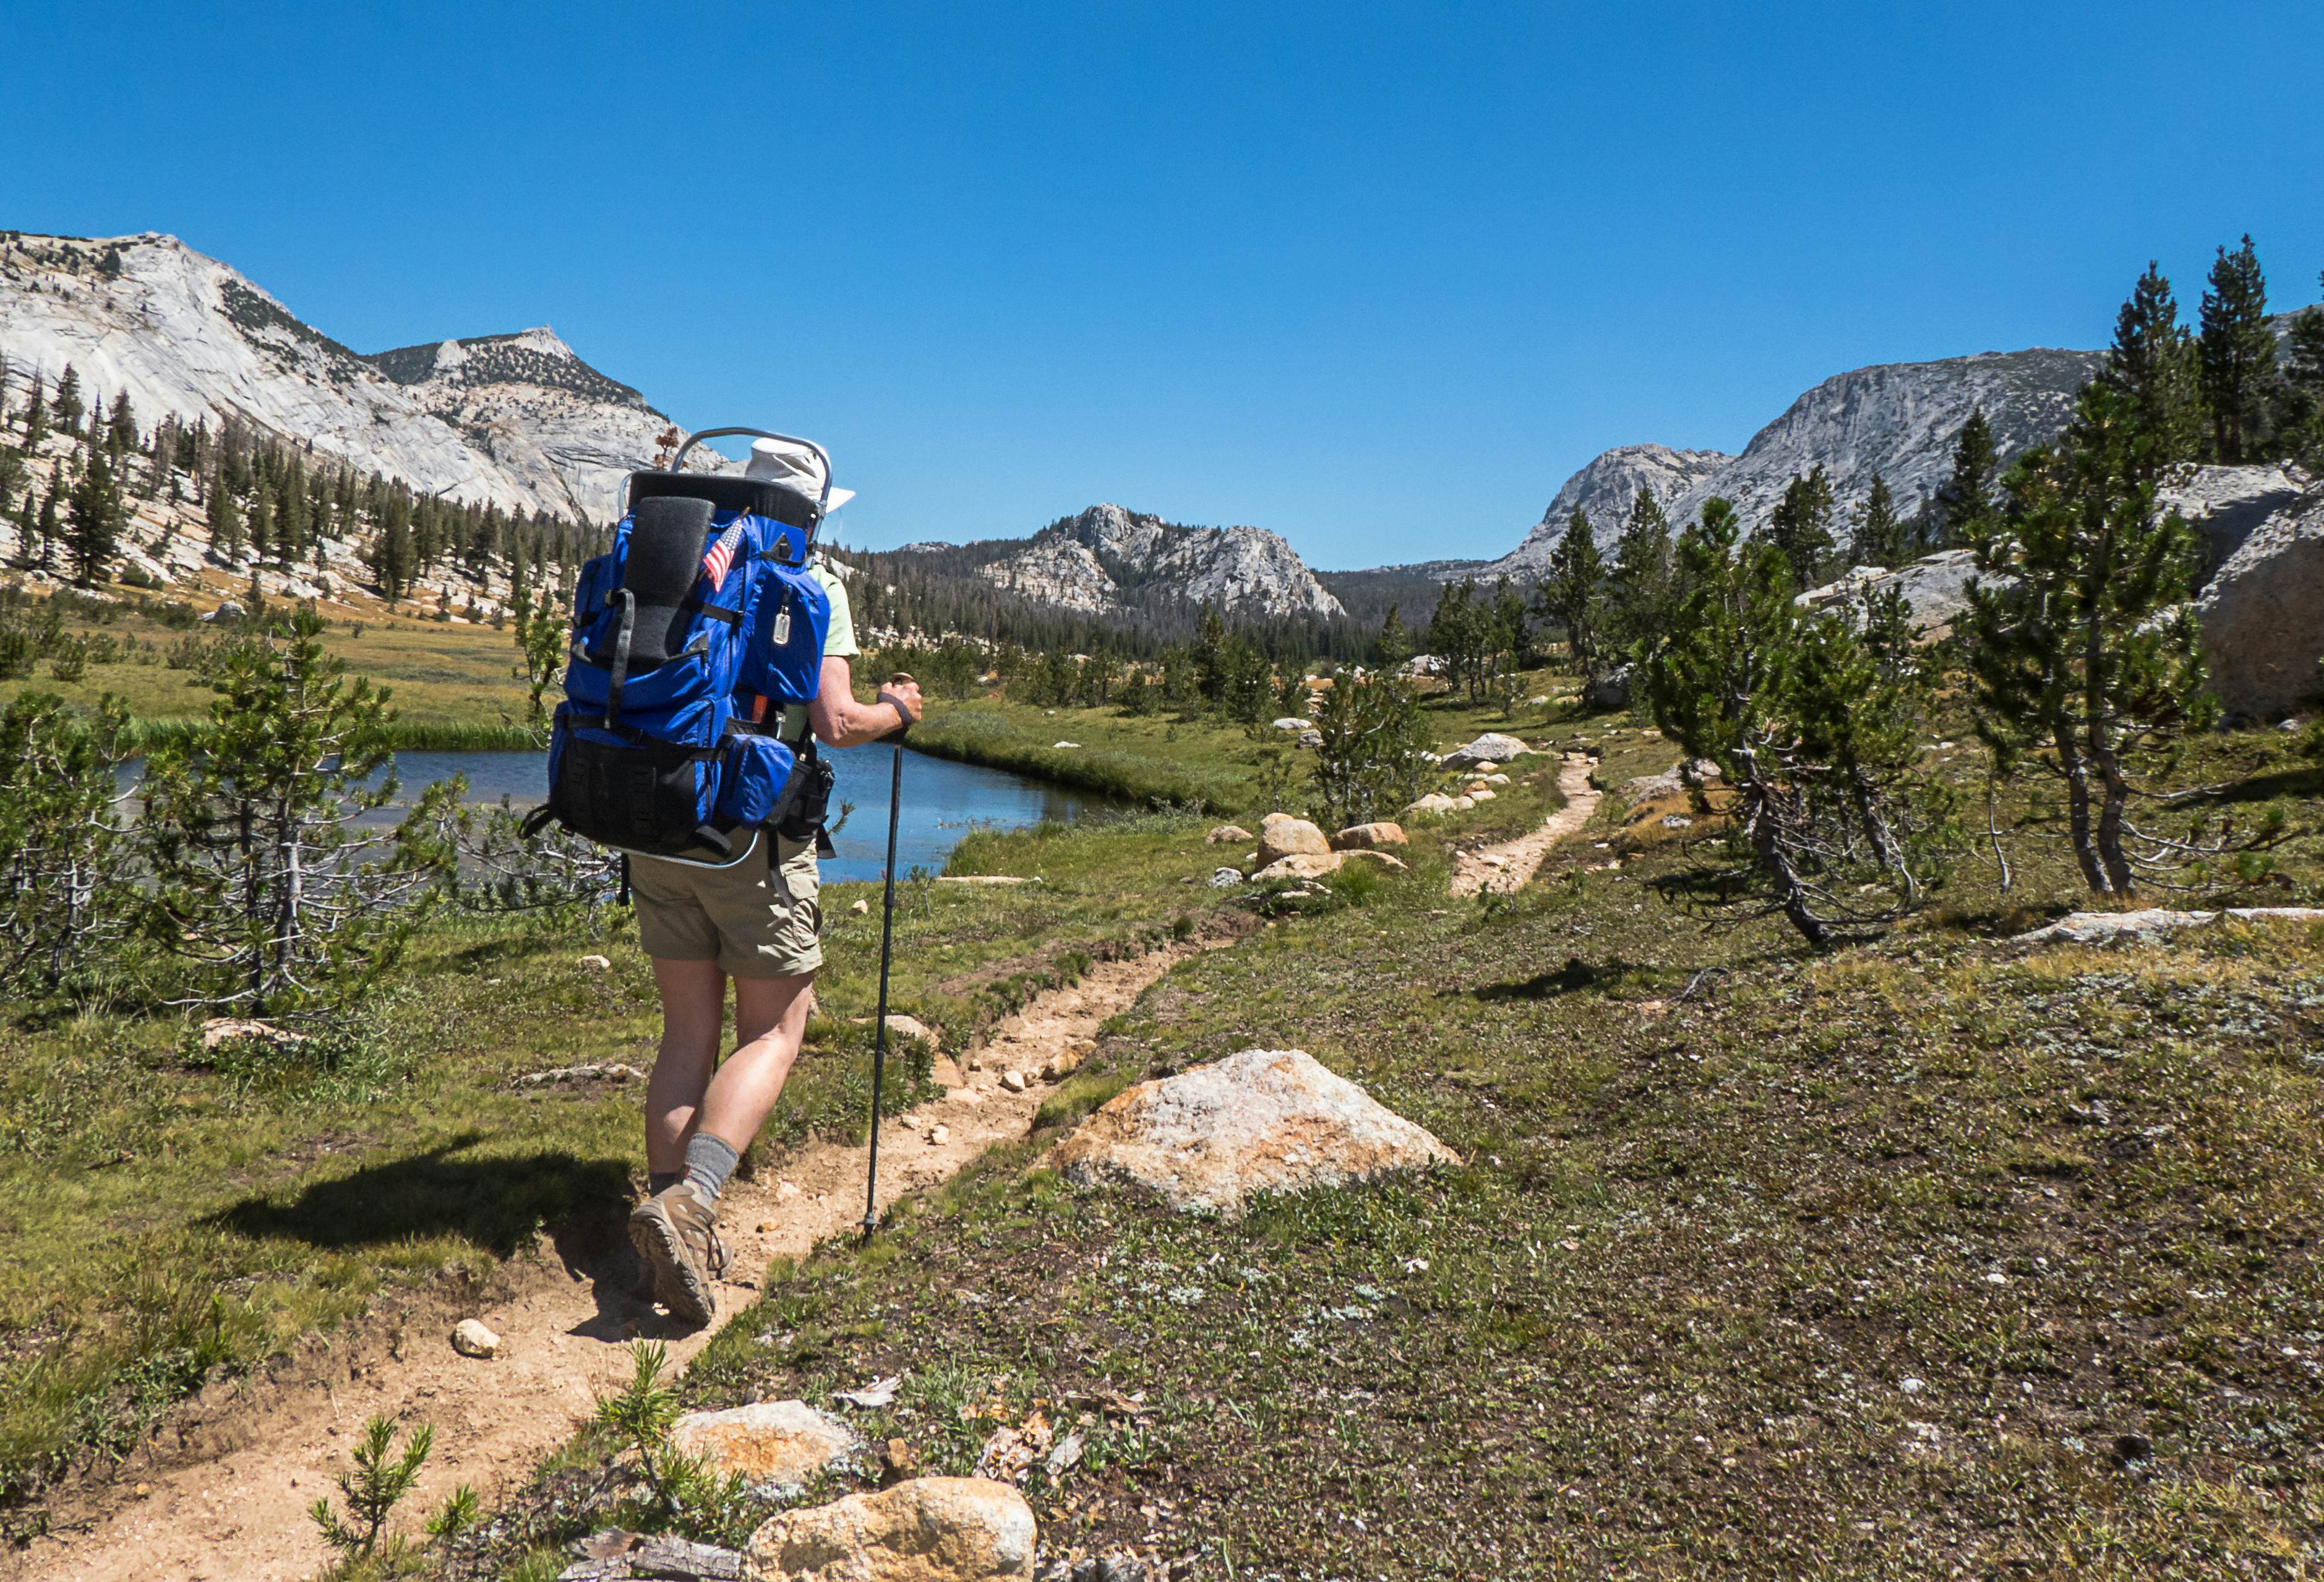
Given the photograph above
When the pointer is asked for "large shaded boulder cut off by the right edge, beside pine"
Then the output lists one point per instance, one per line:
(2262, 617)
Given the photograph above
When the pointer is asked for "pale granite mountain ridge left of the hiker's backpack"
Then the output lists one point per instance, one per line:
(501, 419)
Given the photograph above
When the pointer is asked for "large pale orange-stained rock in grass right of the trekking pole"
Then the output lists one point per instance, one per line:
(1263, 1121)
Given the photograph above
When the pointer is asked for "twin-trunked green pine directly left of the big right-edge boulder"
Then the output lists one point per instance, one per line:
(2083, 652)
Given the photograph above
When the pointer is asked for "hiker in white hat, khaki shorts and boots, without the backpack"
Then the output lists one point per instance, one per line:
(756, 923)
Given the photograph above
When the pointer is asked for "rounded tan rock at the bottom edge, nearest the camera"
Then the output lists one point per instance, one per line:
(928, 1530)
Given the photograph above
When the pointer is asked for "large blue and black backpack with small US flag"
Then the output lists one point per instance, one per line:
(696, 645)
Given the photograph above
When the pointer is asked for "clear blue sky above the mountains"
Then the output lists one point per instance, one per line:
(1377, 278)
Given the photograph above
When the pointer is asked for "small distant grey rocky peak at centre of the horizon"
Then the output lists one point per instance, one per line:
(1112, 561)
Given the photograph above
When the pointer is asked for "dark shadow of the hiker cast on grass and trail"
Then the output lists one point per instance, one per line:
(492, 1202)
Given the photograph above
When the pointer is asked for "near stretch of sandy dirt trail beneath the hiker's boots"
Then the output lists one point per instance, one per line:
(241, 1511)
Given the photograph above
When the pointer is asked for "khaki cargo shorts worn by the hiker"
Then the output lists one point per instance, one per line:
(752, 921)
